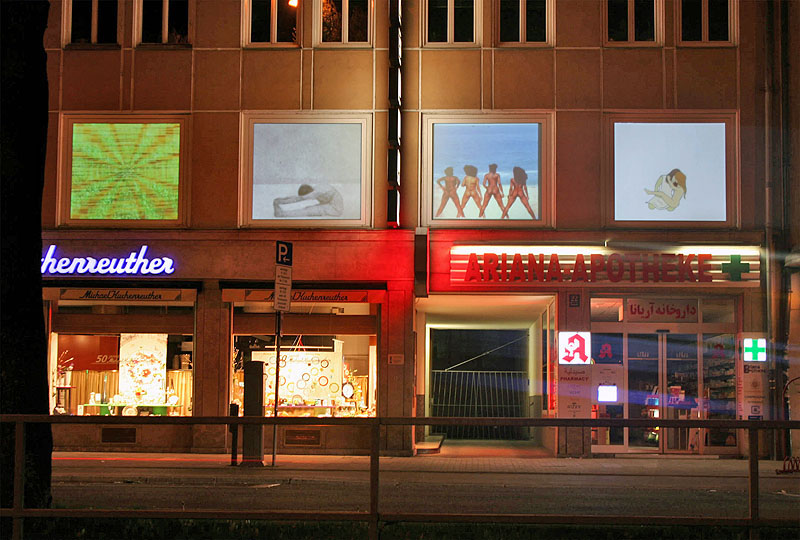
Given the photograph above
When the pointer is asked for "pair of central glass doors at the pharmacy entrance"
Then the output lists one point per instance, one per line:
(662, 383)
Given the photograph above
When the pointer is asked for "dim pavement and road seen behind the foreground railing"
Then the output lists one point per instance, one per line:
(461, 479)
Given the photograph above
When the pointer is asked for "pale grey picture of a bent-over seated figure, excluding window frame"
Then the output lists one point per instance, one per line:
(307, 171)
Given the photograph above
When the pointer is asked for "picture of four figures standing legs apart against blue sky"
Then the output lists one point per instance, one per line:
(486, 171)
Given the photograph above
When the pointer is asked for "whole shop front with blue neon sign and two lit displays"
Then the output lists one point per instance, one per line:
(166, 327)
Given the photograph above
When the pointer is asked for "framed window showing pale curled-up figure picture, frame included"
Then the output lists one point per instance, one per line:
(673, 170)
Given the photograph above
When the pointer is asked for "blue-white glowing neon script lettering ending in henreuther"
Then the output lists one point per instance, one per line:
(135, 263)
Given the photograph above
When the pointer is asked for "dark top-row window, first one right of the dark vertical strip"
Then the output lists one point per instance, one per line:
(451, 21)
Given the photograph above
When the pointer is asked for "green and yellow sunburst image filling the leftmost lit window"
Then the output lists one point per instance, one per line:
(125, 171)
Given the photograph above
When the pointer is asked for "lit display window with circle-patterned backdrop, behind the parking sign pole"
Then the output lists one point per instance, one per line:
(318, 375)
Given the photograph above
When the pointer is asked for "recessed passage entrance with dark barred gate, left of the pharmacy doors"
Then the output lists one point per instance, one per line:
(485, 356)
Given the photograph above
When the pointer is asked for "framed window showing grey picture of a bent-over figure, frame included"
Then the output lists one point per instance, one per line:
(306, 170)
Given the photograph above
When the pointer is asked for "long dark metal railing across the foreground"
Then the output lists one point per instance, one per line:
(374, 517)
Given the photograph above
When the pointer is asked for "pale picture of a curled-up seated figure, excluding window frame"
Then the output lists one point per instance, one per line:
(669, 172)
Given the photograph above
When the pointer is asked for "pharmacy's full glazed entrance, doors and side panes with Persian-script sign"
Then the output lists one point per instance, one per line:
(672, 370)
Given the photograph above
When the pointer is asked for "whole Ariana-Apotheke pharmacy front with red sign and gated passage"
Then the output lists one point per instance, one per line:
(614, 332)
